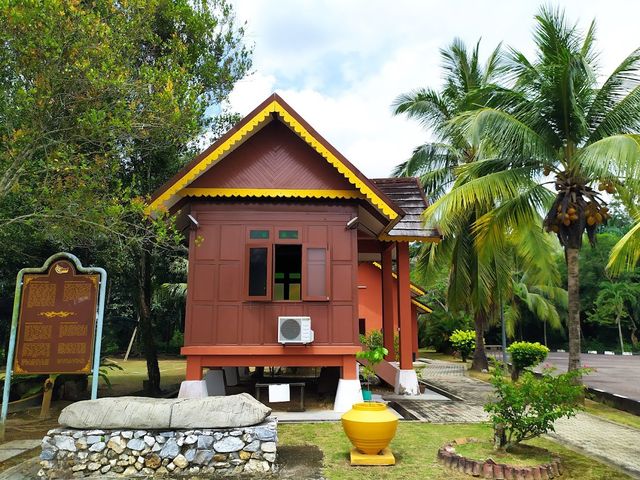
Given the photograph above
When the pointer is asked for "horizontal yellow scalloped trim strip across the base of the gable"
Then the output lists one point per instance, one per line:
(268, 192)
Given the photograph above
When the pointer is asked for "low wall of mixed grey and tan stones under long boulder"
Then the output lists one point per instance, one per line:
(211, 452)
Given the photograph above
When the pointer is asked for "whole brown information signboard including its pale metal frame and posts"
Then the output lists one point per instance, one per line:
(57, 323)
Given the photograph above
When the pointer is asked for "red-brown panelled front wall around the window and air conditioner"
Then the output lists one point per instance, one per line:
(217, 311)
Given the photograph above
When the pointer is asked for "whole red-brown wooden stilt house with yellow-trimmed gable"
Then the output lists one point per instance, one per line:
(279, 221)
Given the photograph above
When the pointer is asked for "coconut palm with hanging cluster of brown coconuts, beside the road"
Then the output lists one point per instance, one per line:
(556, 126)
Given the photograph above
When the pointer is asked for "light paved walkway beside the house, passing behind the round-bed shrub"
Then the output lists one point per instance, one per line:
(613, 443)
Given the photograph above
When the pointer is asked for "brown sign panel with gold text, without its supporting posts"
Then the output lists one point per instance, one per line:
(56, 326)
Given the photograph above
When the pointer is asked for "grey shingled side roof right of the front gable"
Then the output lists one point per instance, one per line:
(407, 193)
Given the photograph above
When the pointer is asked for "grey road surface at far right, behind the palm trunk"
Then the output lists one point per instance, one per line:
(613, 373)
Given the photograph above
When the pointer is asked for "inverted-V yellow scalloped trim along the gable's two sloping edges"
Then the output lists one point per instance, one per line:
(217, 154)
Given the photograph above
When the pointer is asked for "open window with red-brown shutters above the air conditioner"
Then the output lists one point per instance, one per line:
(287, 272)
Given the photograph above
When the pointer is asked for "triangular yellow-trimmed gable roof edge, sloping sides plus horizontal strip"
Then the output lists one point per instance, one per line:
(273, 107)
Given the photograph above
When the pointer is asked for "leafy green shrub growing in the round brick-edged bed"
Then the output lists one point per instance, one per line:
(528, 408)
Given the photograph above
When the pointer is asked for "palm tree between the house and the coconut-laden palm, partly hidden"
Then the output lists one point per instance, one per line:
(467, 85)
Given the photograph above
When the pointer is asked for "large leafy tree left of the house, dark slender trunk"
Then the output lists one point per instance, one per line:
(103, 101)
